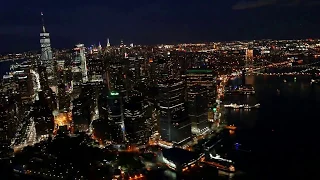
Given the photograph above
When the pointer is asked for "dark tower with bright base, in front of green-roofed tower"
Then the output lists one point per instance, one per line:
(198, 109)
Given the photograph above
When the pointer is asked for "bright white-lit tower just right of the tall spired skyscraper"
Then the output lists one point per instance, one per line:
(79, 69)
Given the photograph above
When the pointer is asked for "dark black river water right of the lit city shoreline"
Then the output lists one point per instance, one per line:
(281, 133)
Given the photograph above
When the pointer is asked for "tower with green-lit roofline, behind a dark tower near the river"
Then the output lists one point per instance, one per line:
(202, 77)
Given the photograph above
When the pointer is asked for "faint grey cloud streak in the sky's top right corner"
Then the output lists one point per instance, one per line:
(251, 4)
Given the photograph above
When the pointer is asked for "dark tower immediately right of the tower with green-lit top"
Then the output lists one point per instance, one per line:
(135, 120)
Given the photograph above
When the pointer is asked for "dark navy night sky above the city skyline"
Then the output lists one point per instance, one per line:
(153, 22)
